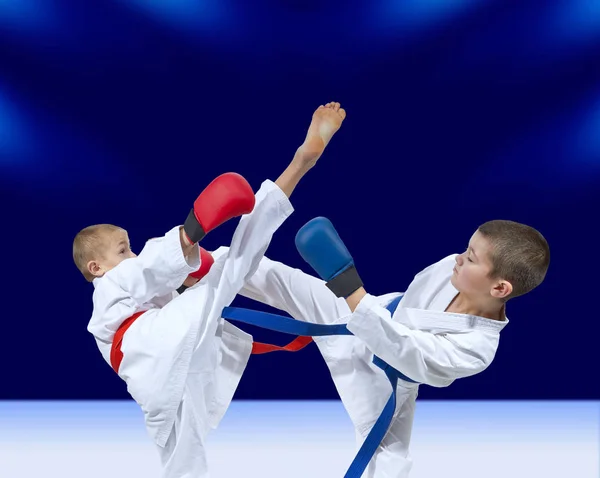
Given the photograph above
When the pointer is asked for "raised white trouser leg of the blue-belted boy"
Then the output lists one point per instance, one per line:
(301, 295)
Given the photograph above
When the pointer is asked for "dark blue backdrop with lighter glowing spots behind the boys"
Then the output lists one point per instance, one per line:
(459, 112)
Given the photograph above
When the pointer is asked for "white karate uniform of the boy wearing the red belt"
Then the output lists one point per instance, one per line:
(181, 361)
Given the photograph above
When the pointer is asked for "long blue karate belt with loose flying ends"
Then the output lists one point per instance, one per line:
(287, 325)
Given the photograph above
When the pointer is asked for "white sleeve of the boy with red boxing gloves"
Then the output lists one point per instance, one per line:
(159, 269)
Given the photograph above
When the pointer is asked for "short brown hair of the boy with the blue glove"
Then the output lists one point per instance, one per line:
(520, 254)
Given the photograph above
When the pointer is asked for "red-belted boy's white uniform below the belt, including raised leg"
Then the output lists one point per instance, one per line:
(172, 357)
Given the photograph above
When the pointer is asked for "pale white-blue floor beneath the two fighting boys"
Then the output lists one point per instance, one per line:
(305, 439)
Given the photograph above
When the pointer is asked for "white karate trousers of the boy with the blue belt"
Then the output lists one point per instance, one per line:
(363, 387)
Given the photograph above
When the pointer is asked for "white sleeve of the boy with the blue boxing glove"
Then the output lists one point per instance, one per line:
(424, 357)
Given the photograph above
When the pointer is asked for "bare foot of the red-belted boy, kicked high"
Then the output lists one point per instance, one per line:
(325, 122)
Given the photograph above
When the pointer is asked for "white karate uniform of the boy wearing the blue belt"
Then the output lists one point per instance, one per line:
(422, 341)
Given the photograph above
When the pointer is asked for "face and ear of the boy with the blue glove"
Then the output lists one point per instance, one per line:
(472, 269)
